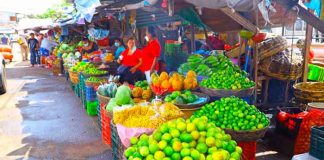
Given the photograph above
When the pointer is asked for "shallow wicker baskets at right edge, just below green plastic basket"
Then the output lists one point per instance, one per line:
(309, 91)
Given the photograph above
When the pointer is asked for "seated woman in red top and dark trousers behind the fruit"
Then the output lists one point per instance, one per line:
(131, 62)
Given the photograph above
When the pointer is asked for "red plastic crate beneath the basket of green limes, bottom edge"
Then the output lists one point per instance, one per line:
(249, 150)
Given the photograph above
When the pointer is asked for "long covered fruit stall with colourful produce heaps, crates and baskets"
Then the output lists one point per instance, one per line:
(213, 106)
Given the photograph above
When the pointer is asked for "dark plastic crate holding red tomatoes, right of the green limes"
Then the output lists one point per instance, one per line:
(290, 127)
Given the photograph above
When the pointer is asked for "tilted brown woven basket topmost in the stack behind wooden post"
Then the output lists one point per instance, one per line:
(272, 46)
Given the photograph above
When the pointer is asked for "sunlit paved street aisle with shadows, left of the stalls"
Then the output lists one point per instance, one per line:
(40, 118)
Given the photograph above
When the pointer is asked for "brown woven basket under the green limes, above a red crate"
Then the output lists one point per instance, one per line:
(247, 136)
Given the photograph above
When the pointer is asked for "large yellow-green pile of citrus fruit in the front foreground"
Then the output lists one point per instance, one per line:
(178, 139)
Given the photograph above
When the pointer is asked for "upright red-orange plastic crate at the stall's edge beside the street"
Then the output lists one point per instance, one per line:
(105, 125)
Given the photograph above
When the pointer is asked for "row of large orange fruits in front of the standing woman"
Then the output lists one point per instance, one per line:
(175, 81)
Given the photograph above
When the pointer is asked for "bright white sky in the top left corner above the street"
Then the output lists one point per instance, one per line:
(27, 6)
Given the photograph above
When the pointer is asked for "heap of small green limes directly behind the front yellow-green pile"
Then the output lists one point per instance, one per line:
(233, 113)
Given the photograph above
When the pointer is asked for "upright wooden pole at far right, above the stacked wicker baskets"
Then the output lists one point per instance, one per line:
(308, 42)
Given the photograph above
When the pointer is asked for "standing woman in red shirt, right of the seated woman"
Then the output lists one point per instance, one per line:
(151, 53)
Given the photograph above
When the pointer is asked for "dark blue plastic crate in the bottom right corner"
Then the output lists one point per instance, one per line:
(317, 142)
